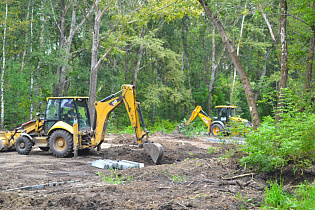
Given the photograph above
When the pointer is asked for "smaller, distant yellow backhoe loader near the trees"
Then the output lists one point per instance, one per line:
(222, 116)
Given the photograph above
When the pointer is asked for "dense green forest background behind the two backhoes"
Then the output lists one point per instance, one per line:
(257, 55)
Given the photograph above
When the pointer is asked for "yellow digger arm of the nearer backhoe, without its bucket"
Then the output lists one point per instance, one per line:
(107, 105)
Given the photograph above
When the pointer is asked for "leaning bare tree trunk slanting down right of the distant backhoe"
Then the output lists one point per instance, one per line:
(237, 63)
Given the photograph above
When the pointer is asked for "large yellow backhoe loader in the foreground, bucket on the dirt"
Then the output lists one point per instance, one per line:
(66, 126)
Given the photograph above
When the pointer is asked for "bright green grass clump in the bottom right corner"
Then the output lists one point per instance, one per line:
(301, 198)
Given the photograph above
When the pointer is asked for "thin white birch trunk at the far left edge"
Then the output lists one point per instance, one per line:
(3, 65)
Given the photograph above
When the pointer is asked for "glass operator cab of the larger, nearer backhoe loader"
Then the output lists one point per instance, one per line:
(67, 109)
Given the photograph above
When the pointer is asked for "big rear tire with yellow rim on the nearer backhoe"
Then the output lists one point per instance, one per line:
(61, 143)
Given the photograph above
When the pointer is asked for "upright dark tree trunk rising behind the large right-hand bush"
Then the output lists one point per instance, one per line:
(283, 59)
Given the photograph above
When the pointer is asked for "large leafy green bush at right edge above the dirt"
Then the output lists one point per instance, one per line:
(290, 141)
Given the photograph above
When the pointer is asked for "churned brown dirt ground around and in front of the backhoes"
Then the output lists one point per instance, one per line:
(191, 176)
